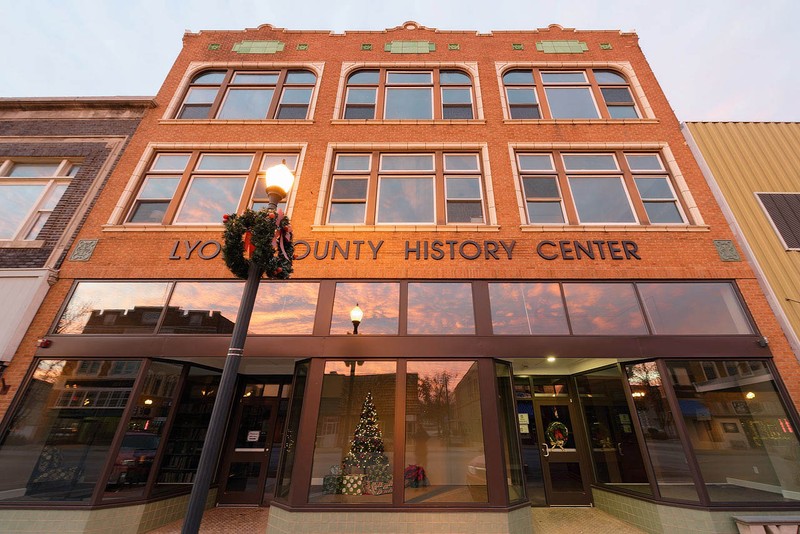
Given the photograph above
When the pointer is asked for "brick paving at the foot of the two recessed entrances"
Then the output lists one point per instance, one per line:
(545, 520)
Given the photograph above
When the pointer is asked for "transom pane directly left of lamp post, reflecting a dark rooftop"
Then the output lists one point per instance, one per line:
(202, 308)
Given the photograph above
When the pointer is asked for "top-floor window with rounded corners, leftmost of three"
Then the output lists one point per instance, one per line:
(249, 95)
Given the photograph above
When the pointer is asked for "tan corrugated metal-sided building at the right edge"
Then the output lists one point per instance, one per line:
(741, 160)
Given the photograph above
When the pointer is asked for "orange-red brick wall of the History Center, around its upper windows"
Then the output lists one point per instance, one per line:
(129, 252)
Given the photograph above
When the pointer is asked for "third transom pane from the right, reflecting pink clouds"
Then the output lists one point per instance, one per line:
(527, 309)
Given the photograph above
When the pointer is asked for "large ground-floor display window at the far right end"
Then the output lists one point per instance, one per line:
(741, 434)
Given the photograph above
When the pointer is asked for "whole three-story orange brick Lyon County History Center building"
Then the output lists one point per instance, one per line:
(518, 198)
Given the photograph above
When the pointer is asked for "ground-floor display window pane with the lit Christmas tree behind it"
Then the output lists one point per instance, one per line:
(354, 445)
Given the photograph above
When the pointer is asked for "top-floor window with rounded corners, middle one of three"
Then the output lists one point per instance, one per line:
(409, 95)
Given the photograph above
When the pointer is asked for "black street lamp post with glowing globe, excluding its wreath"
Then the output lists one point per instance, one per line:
(279, 180)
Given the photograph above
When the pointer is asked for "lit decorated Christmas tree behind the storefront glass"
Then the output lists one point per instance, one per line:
(366, 447)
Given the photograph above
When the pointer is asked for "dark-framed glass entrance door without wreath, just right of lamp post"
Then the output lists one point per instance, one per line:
(247, 458)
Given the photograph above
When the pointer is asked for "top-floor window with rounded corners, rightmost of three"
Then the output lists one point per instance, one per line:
(538, 93)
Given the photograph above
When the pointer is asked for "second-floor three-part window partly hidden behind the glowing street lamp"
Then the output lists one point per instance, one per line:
(200, 187)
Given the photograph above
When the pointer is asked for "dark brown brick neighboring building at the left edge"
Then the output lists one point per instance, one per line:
(55, 156)
